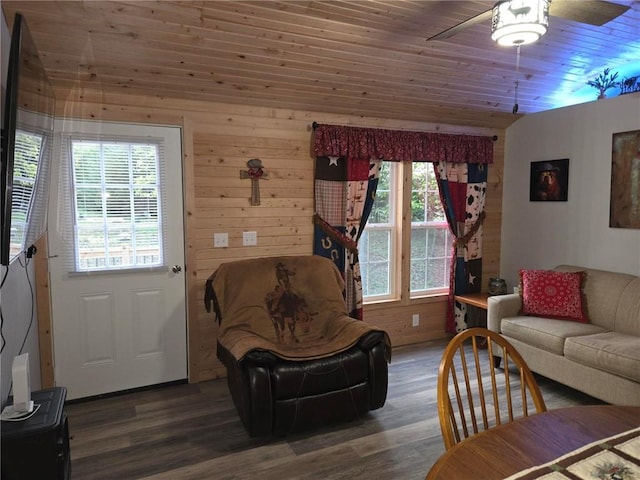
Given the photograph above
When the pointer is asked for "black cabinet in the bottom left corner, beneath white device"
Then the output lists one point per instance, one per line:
(38, 448)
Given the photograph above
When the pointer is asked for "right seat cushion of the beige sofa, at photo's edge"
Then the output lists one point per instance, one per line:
(611, 351)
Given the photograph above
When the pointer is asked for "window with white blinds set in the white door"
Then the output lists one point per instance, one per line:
(117, 208)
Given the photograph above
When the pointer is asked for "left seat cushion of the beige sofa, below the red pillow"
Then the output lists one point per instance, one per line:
(545, 333)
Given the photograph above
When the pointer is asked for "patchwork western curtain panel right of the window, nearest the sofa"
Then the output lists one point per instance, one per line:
(462, 190)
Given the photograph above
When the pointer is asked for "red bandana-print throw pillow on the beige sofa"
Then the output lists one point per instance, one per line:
(547, 293)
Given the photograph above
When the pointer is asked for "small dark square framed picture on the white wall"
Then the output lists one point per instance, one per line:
(549, 181)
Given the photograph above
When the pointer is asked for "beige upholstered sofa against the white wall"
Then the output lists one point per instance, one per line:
(600, 358)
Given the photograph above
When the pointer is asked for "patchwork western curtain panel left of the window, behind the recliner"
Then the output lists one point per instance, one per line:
(344, 193)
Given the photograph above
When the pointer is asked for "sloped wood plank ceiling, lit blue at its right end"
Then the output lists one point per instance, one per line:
(355, 57)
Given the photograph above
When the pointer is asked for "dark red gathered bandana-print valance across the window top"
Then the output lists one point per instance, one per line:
(398, 145)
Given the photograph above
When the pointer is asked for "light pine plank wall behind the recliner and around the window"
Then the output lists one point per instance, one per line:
(218, 141)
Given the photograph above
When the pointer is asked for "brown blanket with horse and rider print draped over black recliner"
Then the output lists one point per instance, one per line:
(292, 306)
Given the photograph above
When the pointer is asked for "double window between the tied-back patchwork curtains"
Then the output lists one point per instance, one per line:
(429, 244)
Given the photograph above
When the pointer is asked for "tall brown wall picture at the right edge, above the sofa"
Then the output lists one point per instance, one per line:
(624, 207)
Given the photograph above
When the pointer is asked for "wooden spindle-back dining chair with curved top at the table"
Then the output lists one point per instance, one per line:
(473, 395)
